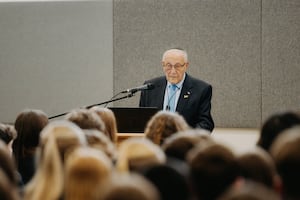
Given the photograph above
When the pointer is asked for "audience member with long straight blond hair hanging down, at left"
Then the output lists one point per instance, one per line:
(58, 138)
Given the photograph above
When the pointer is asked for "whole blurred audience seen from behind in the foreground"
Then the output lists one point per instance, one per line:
(79, 158)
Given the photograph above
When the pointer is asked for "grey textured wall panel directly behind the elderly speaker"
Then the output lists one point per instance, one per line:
(222, 39)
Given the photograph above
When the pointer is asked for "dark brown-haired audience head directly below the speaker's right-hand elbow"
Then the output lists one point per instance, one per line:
(213, 169)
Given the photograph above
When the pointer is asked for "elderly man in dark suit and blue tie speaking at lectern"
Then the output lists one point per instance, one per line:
(179, 92)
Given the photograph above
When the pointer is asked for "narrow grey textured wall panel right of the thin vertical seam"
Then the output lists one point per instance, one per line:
(280, 56)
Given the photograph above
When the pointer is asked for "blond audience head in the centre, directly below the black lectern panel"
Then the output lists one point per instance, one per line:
(138, 153)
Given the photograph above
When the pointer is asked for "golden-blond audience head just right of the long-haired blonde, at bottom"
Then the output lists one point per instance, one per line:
(86, 170)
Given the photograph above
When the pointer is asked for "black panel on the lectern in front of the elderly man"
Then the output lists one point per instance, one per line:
(133, 119)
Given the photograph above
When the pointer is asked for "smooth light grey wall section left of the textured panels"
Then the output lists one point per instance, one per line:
(54, 56)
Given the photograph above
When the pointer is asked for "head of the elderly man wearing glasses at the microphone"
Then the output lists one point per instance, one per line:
(174, 66)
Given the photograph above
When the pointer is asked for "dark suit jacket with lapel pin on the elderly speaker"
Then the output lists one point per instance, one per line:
(194, 102)
